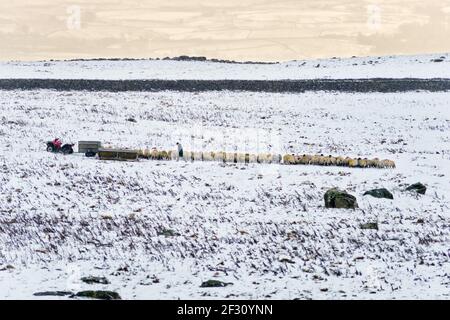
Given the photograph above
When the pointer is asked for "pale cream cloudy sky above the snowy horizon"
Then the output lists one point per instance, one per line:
(260, 30)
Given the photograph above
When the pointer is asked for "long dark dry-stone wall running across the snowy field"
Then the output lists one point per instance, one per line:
(275, 86)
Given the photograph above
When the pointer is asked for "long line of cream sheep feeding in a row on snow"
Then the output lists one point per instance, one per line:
(235, 157)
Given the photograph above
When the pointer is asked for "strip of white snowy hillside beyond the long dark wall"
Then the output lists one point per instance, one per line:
(419, 66)
